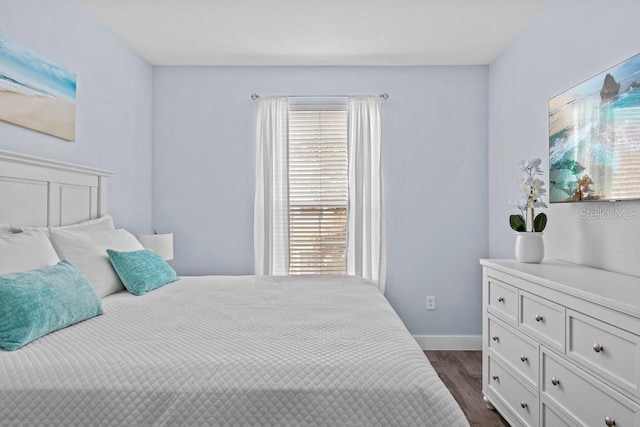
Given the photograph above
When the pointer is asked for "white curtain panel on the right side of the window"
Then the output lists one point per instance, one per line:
(366, 250)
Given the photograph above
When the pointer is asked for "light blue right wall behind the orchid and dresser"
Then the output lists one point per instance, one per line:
(571, 41)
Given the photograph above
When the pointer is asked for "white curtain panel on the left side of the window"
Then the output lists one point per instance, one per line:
(271, 209)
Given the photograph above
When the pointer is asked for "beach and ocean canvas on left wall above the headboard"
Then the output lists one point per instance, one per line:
(36, 93)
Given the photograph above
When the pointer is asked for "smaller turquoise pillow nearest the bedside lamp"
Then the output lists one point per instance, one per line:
(141, 271)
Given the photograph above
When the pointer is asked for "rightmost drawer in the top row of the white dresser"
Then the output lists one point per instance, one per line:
(604, 349)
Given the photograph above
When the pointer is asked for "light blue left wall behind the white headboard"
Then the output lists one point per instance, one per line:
(113, 122)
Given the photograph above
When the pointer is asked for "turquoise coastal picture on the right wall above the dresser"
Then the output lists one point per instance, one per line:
(594, 137)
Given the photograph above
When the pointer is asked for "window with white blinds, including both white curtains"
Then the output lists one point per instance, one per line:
(328, 216)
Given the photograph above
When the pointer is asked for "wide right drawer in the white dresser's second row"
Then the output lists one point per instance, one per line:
(588, 400)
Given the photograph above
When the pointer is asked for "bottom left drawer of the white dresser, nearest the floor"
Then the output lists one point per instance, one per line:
(522, 402)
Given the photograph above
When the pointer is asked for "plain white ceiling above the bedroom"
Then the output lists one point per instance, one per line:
(316, 32)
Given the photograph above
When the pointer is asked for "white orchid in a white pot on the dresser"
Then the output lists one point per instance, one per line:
(527, 225)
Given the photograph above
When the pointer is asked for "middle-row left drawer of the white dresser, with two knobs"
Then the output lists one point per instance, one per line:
(517, 351)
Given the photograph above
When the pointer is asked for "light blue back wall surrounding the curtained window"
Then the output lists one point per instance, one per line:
(435, 173)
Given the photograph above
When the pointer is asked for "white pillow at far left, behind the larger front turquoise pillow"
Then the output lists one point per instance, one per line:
(25, 252)
